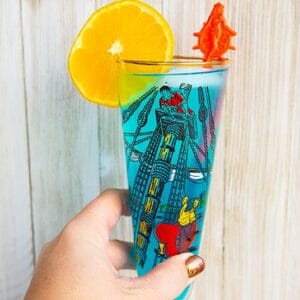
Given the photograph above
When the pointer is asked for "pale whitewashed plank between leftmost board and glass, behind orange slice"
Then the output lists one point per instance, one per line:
(63, 135)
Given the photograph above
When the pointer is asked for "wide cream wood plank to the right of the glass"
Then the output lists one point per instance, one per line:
(259, 182)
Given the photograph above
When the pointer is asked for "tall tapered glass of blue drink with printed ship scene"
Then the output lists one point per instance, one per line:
(170, 132)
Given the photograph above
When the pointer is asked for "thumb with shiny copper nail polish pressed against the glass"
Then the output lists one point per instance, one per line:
(170, 278)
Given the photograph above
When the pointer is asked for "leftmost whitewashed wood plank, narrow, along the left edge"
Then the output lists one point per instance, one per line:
(16, 256)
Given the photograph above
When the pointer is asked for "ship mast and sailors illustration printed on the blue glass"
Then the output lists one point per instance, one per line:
(172, 145)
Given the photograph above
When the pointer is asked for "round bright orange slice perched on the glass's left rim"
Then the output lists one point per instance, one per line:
(122, 30)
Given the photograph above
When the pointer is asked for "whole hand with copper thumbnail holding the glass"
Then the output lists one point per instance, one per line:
(82, 263)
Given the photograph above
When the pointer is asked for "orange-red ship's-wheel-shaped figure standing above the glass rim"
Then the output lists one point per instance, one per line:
(214, 39)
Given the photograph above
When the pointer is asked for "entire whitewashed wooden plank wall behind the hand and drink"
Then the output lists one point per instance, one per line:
(57, 151)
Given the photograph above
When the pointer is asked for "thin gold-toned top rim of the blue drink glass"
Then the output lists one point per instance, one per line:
(180, 61)
